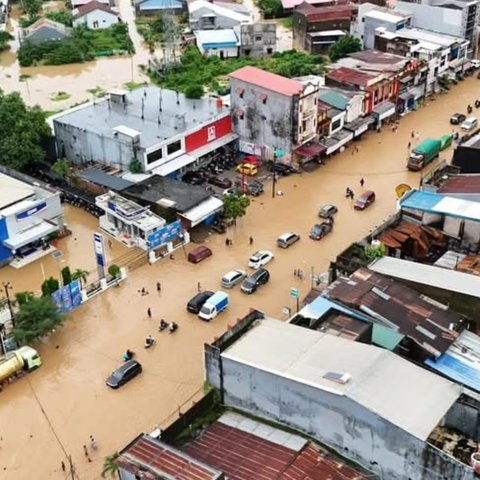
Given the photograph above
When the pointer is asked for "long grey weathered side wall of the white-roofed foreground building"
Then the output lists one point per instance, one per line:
(339, 422)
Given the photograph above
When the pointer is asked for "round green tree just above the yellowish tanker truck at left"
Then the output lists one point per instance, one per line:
(36, 318)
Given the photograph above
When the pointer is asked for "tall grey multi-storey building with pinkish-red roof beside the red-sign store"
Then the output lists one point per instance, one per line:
(272, 112)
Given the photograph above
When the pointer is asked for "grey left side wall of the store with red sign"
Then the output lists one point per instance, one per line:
(79, 145)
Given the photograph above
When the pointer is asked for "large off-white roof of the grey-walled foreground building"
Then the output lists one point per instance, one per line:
(407, 396)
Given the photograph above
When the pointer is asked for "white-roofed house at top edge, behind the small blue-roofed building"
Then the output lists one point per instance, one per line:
(204, 15)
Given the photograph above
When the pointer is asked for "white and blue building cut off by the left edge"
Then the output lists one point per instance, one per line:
(29, 215)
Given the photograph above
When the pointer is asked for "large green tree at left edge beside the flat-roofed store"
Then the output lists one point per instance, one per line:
(23, 129)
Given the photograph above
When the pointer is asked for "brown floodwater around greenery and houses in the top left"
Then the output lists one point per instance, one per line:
(40, 83)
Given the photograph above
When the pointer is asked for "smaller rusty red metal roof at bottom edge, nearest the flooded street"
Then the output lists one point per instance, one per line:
(161, 459)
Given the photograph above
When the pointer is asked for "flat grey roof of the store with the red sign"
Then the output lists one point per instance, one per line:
(156, 114)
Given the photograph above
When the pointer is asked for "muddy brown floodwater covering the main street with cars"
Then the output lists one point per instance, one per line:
(51, 412)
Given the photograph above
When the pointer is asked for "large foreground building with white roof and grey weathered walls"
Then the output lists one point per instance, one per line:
(407, 422)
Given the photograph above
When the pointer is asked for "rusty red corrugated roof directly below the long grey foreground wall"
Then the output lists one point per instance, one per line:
(244, 456)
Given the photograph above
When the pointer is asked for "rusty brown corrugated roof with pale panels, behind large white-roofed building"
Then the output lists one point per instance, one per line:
(406, 310)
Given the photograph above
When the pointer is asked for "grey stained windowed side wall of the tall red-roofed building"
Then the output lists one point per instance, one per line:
(271, 124)
